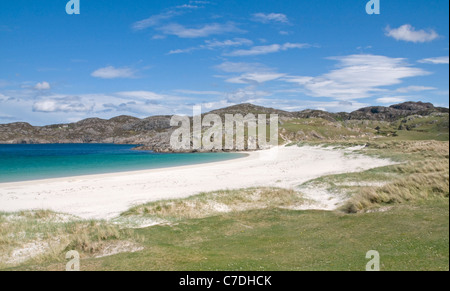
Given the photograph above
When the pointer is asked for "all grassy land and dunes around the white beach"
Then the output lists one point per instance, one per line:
(401, 211)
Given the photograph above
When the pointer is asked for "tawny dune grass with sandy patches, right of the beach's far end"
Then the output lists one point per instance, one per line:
(422, 173)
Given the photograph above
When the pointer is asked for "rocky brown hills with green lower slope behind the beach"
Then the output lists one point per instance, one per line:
(412, 119)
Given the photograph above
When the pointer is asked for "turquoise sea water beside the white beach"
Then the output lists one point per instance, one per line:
(31, 162)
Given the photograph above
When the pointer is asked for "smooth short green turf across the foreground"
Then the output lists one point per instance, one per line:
(408, 237)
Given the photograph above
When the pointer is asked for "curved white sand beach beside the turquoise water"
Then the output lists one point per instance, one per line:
(106, 196)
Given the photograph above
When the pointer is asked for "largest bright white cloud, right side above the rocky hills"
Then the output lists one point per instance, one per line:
(358, 76)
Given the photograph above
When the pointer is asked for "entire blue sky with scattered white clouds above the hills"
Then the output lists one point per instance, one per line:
(144, 58)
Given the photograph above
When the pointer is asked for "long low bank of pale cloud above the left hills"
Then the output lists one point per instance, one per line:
(55, 108)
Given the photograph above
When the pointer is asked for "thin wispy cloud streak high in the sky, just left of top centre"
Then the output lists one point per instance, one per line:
(201, 31)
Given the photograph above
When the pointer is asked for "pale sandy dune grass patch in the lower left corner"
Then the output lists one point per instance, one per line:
(40, 236)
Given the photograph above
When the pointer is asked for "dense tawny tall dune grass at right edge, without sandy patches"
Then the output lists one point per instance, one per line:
(423, 175)
